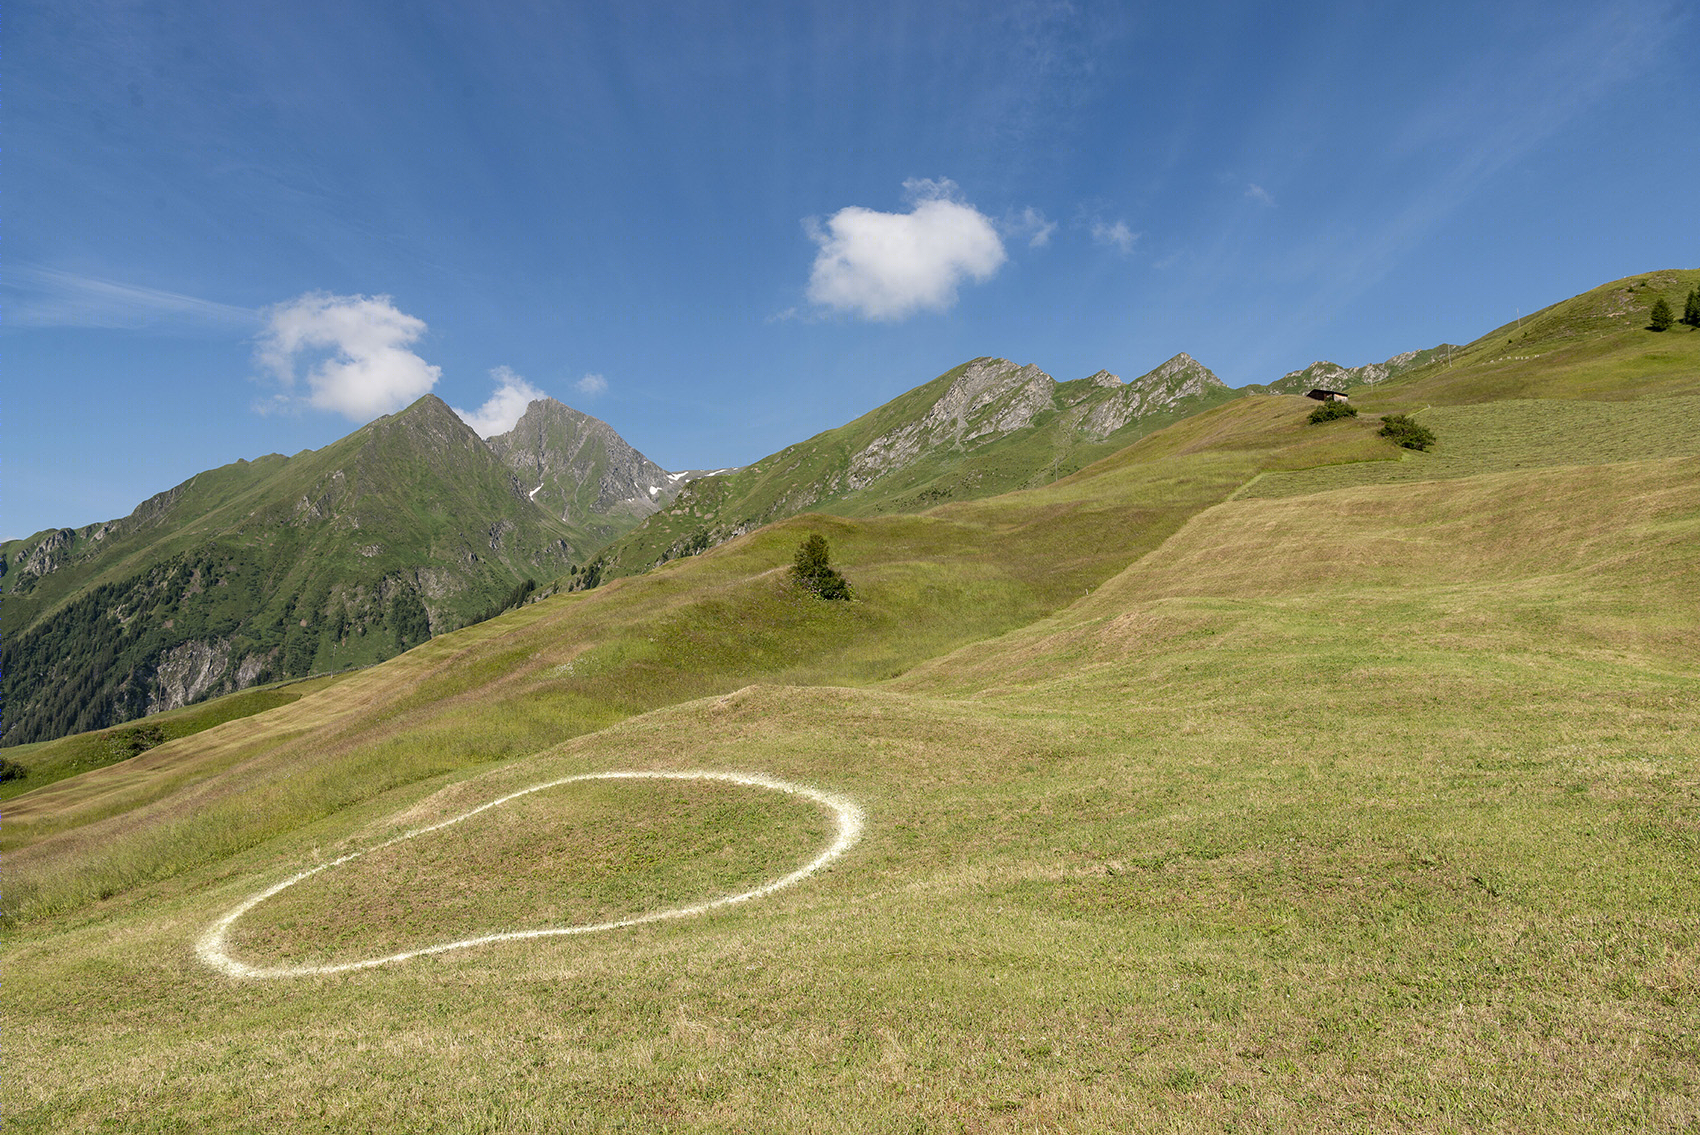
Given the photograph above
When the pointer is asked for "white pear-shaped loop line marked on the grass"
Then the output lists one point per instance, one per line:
(212, 949)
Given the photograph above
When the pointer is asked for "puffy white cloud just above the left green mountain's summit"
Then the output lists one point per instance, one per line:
(361, 344)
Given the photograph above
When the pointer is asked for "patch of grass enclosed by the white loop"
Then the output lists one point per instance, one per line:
(575, 855)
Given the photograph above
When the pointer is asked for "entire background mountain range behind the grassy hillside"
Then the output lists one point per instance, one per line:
(414, 526)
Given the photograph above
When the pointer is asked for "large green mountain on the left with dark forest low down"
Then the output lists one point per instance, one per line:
(266, 570)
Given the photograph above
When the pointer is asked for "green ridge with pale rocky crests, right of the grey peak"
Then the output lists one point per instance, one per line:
(978, 431)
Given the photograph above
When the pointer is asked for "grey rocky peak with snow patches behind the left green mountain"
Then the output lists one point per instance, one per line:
(579, 468)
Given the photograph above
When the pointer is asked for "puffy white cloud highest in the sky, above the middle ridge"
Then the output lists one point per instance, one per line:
(888, 266)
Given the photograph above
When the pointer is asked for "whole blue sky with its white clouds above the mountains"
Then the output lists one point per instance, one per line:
(234, 230)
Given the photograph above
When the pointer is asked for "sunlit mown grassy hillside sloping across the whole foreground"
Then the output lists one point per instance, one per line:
(1189, 806)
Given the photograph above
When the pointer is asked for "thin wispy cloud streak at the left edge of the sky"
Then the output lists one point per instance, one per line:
(48, 298)
